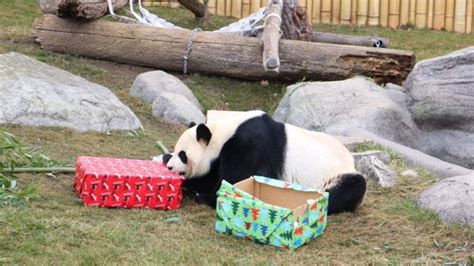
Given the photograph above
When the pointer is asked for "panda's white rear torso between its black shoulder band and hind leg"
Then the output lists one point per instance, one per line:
(314, 158)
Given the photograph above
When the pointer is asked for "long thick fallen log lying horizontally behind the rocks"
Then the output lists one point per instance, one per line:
(218, 54)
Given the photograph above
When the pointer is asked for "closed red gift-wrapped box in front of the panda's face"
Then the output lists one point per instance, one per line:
(111, 182)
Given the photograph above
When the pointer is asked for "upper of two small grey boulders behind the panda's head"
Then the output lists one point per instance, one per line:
(149, 85)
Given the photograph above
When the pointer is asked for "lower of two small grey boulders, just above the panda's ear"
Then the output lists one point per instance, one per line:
(176, 109)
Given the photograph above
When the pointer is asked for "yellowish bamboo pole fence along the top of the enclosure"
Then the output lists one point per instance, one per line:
(451, 15)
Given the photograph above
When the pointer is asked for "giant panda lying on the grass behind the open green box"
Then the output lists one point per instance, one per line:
(254, 144)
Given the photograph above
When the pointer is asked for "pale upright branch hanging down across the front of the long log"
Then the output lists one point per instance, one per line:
(271, 38)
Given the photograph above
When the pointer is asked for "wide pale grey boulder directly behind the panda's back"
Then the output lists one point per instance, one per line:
(336, 106)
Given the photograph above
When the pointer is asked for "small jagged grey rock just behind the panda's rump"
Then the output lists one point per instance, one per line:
(372, 167)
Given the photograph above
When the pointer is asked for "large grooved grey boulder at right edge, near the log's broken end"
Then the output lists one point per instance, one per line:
(441, 91)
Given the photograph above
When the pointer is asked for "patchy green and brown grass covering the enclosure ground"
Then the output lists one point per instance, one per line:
(57, 229)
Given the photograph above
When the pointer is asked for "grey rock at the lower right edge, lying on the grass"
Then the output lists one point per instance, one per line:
(452, 199)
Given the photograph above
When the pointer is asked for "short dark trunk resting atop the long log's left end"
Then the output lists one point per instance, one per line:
(84, 9)
